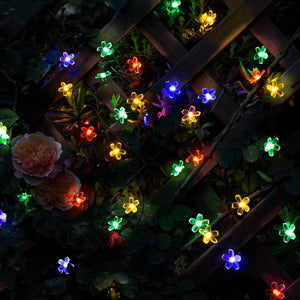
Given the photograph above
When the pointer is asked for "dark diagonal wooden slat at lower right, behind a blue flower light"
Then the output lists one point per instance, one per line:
(238, 236)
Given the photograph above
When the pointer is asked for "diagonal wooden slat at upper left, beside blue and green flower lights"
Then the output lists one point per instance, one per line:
(115, 30)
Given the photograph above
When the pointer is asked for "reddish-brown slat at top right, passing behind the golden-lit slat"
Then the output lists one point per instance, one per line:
(270, 36)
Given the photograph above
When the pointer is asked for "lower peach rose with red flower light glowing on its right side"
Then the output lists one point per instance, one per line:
(57, 192)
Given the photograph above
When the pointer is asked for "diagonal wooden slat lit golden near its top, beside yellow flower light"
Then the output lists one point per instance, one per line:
(211, 44)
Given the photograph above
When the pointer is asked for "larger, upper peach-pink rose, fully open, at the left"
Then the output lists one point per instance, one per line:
(35, 156)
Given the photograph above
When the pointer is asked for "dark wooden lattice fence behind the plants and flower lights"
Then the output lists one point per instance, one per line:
(188, 67)
